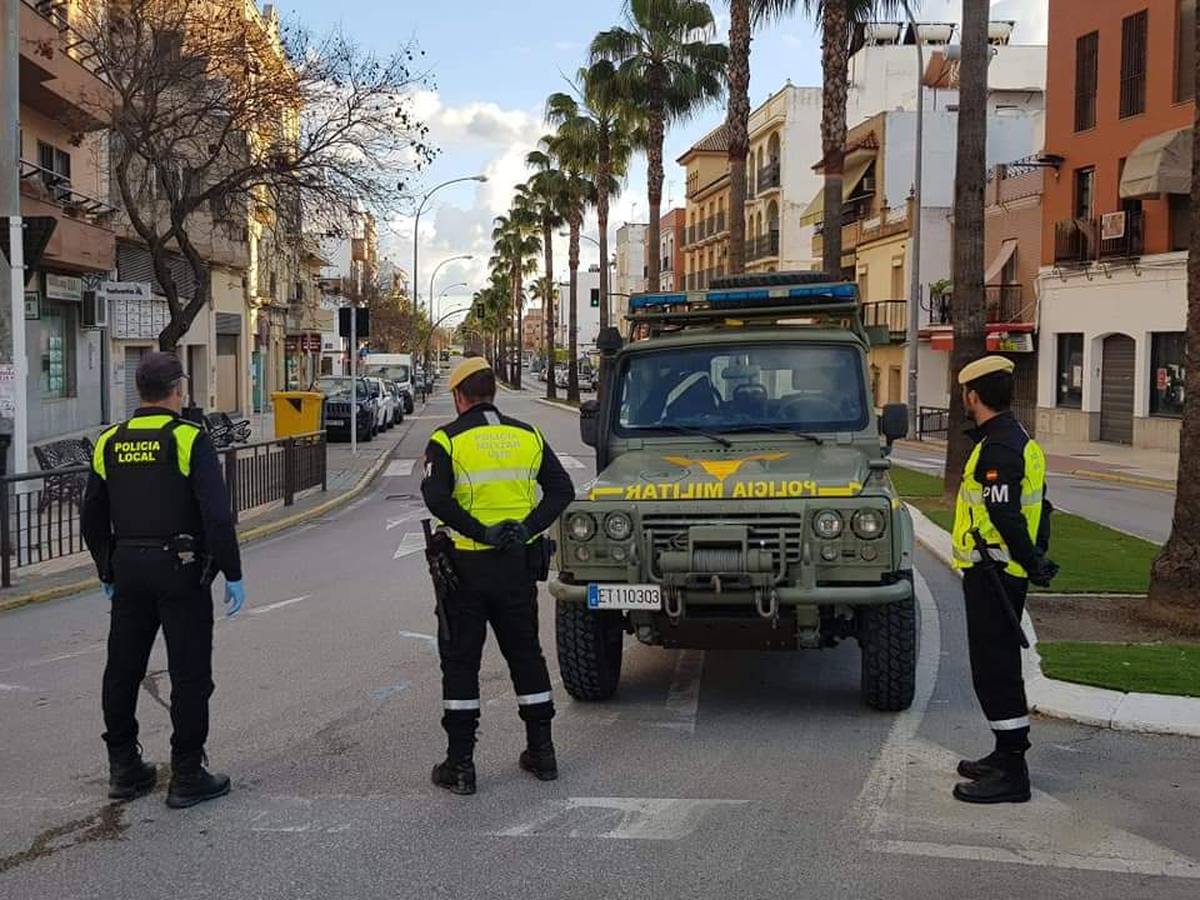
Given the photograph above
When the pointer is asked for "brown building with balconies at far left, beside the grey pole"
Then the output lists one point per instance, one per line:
(64, 177)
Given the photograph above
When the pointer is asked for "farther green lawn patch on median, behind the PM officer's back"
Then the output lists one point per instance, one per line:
(1095, 560)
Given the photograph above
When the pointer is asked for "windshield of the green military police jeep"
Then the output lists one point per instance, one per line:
(802, 388)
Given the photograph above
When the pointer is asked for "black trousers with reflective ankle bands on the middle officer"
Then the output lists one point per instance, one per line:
(495, 587)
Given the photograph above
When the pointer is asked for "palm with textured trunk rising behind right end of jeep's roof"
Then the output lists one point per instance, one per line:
(836, 19)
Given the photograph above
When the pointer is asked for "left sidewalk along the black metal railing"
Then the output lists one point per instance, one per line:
(347, 477)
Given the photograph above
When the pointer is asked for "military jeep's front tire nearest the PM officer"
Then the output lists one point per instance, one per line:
(887, 637)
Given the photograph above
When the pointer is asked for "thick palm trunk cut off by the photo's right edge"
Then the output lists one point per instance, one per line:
(1177, 571)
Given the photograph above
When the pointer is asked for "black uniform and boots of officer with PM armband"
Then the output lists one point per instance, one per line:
(992, 638)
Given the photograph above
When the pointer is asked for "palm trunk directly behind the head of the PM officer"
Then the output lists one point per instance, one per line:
(970, 322)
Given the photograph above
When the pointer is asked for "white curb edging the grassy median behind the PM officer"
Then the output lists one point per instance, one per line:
(1149, 713)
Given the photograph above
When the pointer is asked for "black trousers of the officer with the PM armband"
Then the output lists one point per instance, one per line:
(997, 652)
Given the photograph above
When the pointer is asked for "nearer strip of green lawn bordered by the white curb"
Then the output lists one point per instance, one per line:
(1145, 668)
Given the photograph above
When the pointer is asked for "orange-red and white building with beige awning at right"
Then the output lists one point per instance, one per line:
(1117, 221)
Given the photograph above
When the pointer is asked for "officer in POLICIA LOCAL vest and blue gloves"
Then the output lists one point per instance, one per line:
(157, 520)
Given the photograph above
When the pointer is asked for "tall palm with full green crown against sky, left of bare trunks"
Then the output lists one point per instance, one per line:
(668, 68)
